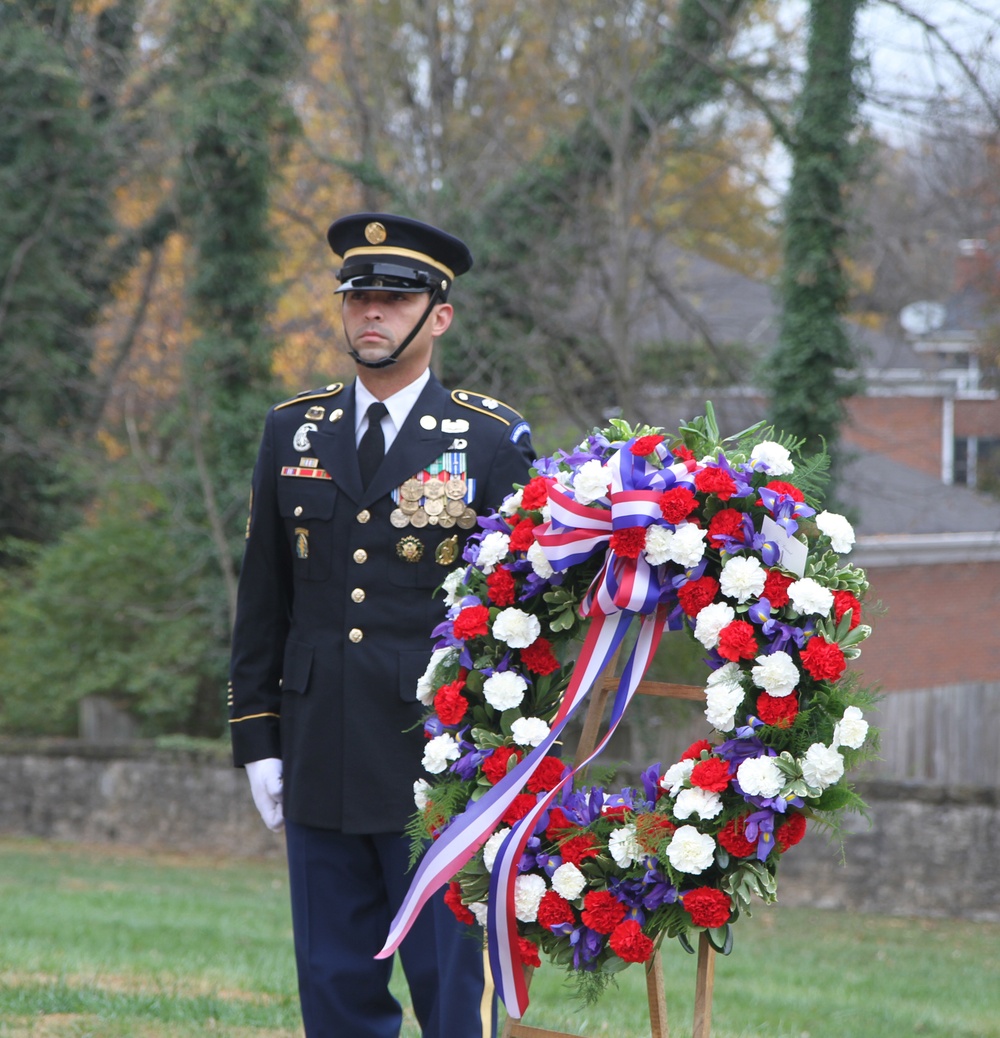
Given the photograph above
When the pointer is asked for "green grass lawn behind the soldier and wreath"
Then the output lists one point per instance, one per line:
(110, 943)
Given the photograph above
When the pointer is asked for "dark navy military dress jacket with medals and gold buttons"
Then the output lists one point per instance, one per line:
(337, 602)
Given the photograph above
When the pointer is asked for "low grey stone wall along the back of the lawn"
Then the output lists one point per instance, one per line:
(930, 852)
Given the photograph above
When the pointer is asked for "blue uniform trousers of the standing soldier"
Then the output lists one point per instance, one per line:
(346, 890)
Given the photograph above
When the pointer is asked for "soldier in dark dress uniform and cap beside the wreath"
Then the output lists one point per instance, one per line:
(363, 498)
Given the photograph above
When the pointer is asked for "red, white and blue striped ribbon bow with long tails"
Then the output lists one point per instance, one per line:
(624, 589)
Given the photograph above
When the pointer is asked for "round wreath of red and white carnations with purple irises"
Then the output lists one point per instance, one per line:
(723, 539)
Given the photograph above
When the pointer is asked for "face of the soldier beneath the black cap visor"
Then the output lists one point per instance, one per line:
(375, 323)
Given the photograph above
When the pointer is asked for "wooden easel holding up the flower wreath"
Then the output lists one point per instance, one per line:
(655, 970)
